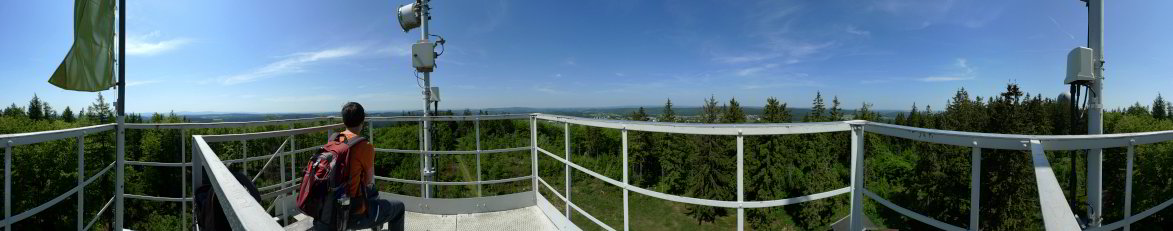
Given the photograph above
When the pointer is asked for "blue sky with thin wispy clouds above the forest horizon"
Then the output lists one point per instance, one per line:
(286, 57)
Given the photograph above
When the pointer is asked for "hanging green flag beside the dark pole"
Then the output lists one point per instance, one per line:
(90, 65)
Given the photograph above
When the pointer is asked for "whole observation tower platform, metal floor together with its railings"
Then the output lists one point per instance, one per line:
(540, 206)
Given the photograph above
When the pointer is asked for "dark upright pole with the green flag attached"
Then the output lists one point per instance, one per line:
(120, 209)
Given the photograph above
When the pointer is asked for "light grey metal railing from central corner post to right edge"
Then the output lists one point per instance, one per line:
(1056, 213)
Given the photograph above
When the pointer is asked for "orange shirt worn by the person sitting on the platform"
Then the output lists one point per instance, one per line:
(362, 172)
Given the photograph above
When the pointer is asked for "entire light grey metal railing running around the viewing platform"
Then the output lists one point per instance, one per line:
(249, 215)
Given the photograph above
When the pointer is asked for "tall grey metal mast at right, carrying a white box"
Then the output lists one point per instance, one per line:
(1096, 112)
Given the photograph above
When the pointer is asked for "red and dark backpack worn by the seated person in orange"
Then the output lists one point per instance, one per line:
(323, 191)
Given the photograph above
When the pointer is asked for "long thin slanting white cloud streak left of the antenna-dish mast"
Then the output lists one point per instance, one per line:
(289, 65)
